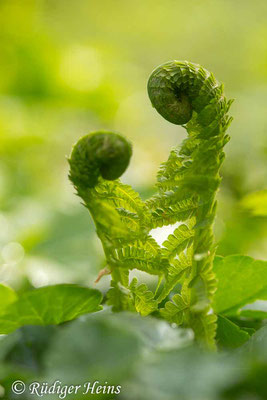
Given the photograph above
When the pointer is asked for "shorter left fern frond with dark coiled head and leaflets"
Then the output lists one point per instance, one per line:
(120, 216)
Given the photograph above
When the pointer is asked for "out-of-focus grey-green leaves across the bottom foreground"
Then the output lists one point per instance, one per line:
(145, 356)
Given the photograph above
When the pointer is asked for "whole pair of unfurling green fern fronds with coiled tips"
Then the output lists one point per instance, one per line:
(184, 94)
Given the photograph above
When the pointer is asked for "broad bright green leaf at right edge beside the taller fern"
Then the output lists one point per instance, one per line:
(241, 280)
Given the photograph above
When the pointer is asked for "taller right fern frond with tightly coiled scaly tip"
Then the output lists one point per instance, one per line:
(187, 94)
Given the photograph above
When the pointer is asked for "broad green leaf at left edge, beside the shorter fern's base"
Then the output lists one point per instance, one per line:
(50, 305)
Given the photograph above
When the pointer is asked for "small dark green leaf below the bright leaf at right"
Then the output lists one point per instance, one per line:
(230, 335)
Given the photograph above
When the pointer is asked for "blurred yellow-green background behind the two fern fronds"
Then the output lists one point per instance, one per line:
(67, 68)
